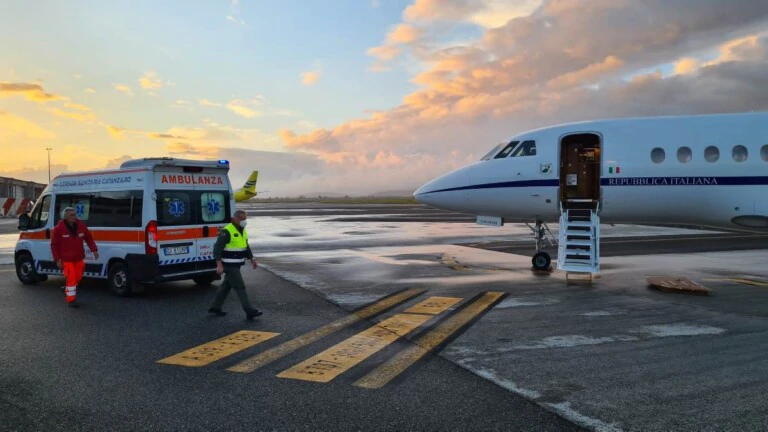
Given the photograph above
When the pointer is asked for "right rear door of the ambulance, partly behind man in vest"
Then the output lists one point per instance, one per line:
(214, 213)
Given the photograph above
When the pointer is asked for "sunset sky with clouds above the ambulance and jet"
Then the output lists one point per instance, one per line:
(353, 96)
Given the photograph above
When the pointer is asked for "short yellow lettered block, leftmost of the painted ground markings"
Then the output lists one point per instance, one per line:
(218, 349)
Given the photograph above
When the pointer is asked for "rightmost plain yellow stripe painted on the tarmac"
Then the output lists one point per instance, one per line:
(385, 373)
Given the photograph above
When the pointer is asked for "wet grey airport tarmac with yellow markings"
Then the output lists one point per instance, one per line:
(504, 349)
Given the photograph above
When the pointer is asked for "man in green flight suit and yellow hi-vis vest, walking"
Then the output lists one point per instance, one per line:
(230, 252)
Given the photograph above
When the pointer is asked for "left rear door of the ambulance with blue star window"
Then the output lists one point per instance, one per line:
(176, 229)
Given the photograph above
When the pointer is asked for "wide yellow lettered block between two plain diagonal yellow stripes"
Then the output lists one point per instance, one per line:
(343, 356)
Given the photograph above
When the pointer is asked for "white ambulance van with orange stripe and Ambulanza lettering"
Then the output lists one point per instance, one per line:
(153, 220)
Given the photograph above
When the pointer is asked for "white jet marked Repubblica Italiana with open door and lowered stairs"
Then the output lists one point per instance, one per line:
(706, 170)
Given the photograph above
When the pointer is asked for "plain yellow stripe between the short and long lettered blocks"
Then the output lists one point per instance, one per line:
(257, 361)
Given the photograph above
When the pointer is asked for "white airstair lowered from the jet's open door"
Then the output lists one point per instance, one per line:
(579, 238)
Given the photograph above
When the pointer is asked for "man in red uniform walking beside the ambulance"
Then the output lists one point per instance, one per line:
(68, 251)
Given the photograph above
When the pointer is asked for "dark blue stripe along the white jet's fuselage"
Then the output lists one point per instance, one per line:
(625, 181)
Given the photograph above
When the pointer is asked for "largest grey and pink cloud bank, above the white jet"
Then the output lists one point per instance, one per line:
(552, 66)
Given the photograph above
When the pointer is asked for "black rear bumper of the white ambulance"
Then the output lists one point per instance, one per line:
(147, 269)
